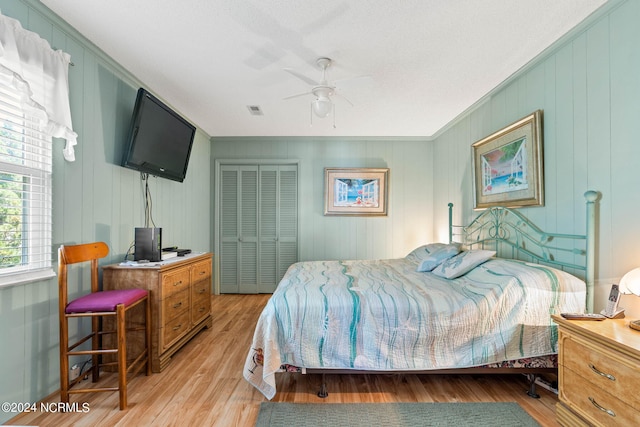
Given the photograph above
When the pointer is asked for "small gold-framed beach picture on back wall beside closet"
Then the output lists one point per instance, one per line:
(355, 191)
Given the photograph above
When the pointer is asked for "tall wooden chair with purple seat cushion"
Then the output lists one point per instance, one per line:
(99, 305)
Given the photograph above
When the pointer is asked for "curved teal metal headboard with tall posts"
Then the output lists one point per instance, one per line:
(513, 236)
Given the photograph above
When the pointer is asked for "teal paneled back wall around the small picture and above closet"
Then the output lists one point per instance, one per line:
(409, 219)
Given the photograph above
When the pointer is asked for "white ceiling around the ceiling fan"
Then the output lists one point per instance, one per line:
(426, 60)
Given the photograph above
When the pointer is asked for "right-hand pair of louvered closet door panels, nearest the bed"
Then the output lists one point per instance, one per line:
(278, 227)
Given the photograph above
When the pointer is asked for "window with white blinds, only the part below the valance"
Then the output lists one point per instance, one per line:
(25, 192)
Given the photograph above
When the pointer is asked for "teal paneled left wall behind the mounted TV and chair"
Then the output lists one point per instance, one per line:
(94, 199)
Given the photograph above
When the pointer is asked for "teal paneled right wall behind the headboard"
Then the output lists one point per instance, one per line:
(588, 85)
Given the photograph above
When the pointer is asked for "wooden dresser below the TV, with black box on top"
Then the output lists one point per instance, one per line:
(180, 290)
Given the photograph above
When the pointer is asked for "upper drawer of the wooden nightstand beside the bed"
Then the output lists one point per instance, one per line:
(605, 369)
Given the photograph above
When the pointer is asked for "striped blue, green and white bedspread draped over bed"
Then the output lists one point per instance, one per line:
(384, 315)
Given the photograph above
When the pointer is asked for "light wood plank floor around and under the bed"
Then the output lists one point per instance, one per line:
(203, 385)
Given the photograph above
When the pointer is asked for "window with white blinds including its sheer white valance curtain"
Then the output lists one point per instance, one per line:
(34, 108)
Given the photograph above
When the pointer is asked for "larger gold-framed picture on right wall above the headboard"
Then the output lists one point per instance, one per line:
(507, 166)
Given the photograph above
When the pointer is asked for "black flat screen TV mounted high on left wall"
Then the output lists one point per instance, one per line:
(159, 141)
